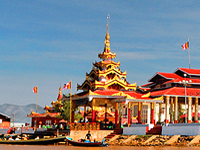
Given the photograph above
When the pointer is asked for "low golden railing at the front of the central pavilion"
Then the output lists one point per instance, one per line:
(85, 126)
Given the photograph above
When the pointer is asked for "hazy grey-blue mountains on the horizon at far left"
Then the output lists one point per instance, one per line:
(20, 112)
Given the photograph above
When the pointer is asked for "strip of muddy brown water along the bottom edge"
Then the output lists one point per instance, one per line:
(38, 147)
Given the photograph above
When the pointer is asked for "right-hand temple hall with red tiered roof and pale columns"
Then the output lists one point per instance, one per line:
(180, 90)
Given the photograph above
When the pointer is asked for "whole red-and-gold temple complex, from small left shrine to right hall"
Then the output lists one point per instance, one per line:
(109, 100)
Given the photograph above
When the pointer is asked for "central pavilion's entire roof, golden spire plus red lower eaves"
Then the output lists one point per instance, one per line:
(106, 81)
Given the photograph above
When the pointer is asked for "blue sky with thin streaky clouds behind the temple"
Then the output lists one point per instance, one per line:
(46, 43)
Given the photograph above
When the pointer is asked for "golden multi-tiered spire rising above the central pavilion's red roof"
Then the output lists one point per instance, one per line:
(106, 74)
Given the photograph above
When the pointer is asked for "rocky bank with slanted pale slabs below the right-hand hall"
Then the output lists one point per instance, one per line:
(153, 140)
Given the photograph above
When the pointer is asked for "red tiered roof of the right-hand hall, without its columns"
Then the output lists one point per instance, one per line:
(171, 84)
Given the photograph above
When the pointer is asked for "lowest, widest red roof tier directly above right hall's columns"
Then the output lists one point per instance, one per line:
(177, 91)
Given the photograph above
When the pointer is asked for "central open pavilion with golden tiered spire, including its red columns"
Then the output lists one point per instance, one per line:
(106, 91)
